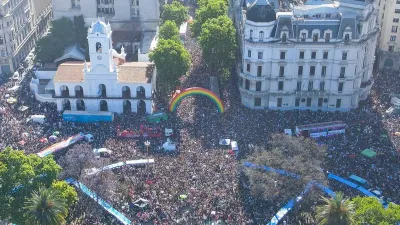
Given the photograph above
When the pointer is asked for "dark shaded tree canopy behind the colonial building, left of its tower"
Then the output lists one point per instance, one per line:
(63, 33)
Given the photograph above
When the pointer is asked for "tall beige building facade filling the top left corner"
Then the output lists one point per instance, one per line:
(22, 23)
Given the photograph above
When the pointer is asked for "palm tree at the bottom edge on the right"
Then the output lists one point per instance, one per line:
(336, 211)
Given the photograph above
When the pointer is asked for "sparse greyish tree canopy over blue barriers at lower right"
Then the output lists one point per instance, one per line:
(296, 155)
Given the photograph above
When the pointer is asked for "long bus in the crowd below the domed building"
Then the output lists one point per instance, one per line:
(317, 130)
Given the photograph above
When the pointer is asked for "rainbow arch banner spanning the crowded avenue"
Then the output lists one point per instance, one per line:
(196, 91)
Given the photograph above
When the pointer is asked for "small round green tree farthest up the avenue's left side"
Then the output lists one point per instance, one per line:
(175, 12)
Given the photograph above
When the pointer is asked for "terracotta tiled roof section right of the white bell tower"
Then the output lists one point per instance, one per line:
(135, 72)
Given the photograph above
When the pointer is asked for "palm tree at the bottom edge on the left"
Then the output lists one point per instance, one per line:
(46, 207)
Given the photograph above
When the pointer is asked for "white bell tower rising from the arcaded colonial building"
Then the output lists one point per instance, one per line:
(100, 47)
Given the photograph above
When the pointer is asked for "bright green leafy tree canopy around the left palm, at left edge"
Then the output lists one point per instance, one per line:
(20, 174)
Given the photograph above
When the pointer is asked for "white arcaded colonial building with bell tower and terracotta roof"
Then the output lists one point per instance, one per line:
(106, 83)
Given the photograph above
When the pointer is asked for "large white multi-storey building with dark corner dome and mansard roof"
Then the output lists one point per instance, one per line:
(316, 56)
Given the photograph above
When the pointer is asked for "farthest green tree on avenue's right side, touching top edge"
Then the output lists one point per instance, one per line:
(208, 10)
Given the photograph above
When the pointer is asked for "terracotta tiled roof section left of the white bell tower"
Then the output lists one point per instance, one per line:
(70, 72)
